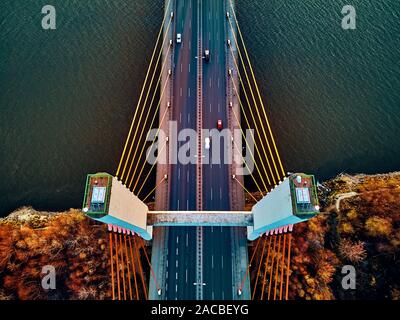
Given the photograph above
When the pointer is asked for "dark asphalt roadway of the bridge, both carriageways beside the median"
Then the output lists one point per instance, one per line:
(181, 260)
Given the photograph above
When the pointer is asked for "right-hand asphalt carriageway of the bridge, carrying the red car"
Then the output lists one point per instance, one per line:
(217, 261)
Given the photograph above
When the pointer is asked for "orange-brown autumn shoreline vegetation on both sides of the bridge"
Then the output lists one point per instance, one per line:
(359, 225)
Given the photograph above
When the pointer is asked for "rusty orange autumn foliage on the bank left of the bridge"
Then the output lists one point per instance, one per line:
(71, 243)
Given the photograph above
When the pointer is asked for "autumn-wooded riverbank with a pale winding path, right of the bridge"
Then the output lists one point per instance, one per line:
(359, 226)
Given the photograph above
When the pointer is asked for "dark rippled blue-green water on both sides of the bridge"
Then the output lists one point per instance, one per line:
(67, 96)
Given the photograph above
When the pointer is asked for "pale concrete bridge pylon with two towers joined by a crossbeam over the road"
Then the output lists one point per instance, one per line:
(292, 201)
